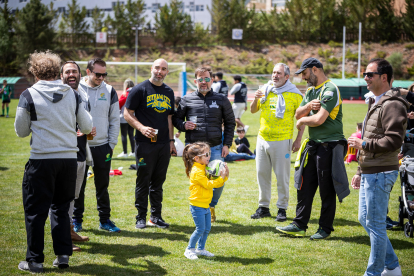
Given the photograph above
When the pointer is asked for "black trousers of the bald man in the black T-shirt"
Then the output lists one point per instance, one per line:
(152, 164)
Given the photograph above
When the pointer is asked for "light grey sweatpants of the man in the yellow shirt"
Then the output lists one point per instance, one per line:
(276, 155)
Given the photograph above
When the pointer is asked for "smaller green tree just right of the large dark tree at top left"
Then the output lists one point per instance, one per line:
(73, 22)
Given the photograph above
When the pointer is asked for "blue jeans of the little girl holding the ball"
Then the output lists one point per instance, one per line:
(202, 220)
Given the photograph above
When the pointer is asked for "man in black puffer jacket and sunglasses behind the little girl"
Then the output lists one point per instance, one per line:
(211, 110)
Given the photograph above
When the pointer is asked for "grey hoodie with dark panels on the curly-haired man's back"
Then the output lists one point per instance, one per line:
(47, 109)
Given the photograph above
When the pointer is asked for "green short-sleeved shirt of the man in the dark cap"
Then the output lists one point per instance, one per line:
(331, 100)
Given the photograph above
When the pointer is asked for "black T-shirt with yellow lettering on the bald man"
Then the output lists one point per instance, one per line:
(152, 104)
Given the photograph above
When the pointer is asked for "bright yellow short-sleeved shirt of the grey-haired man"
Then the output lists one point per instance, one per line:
(273, 128)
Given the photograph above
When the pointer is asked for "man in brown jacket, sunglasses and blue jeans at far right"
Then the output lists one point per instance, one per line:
(382, 136)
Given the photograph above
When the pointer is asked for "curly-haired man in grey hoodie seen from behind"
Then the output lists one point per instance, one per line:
(49, 110)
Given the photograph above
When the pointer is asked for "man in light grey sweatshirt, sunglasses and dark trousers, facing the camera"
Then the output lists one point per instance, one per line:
(105, 113)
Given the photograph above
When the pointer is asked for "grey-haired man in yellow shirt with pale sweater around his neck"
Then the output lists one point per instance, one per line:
(278, 101)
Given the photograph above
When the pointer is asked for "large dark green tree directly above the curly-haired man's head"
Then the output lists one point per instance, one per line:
(33, 28)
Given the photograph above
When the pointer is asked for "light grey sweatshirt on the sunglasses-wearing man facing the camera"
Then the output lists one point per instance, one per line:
(105, 112)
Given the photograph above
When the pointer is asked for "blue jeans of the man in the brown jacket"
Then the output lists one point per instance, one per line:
(373, 203)
